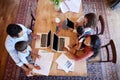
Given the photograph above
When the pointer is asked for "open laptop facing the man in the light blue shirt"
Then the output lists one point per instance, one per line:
(44, 41)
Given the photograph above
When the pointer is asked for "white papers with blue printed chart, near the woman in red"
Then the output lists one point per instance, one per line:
(65, 63)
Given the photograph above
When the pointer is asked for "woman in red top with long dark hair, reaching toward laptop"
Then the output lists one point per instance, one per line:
(86, 47)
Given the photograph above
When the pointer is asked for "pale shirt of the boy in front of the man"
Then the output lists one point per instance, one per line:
(22, 56)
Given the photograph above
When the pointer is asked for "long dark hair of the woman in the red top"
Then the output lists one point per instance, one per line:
(95, 43)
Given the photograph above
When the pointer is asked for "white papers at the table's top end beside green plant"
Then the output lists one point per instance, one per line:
(70, 5)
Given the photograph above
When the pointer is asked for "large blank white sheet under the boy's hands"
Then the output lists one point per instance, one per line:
(44, 62)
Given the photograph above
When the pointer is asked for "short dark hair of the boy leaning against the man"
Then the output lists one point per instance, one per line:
(21, 45)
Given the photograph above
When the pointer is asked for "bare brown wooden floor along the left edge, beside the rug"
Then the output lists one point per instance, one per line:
(8, 11)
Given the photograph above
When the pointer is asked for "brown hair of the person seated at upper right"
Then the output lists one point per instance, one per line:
(92, 20)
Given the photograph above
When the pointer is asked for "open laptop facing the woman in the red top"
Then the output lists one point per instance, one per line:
(59, 42)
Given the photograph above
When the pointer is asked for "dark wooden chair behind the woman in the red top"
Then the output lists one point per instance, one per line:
(109, 54)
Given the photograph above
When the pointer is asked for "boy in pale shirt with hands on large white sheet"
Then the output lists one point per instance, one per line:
(25, 54)
